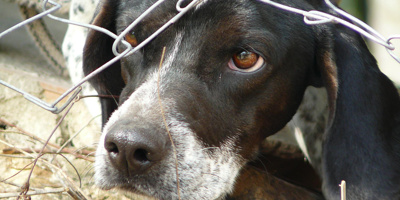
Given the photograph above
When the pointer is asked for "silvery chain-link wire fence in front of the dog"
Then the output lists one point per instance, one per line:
(312, 17)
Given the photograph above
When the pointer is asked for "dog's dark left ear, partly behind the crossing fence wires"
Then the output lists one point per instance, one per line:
(97, 51)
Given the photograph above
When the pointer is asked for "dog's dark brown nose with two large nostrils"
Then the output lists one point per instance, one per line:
(132, 151)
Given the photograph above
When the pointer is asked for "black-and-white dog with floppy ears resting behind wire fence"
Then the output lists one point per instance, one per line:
(234, 73)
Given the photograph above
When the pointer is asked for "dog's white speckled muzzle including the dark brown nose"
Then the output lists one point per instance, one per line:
(136, 151)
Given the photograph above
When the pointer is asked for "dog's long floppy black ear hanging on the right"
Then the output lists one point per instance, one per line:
(363, 123)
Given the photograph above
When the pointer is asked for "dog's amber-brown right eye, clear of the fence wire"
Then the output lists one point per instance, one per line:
(246, 61)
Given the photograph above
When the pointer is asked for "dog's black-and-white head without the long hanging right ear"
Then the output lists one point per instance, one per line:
(234, 73)
